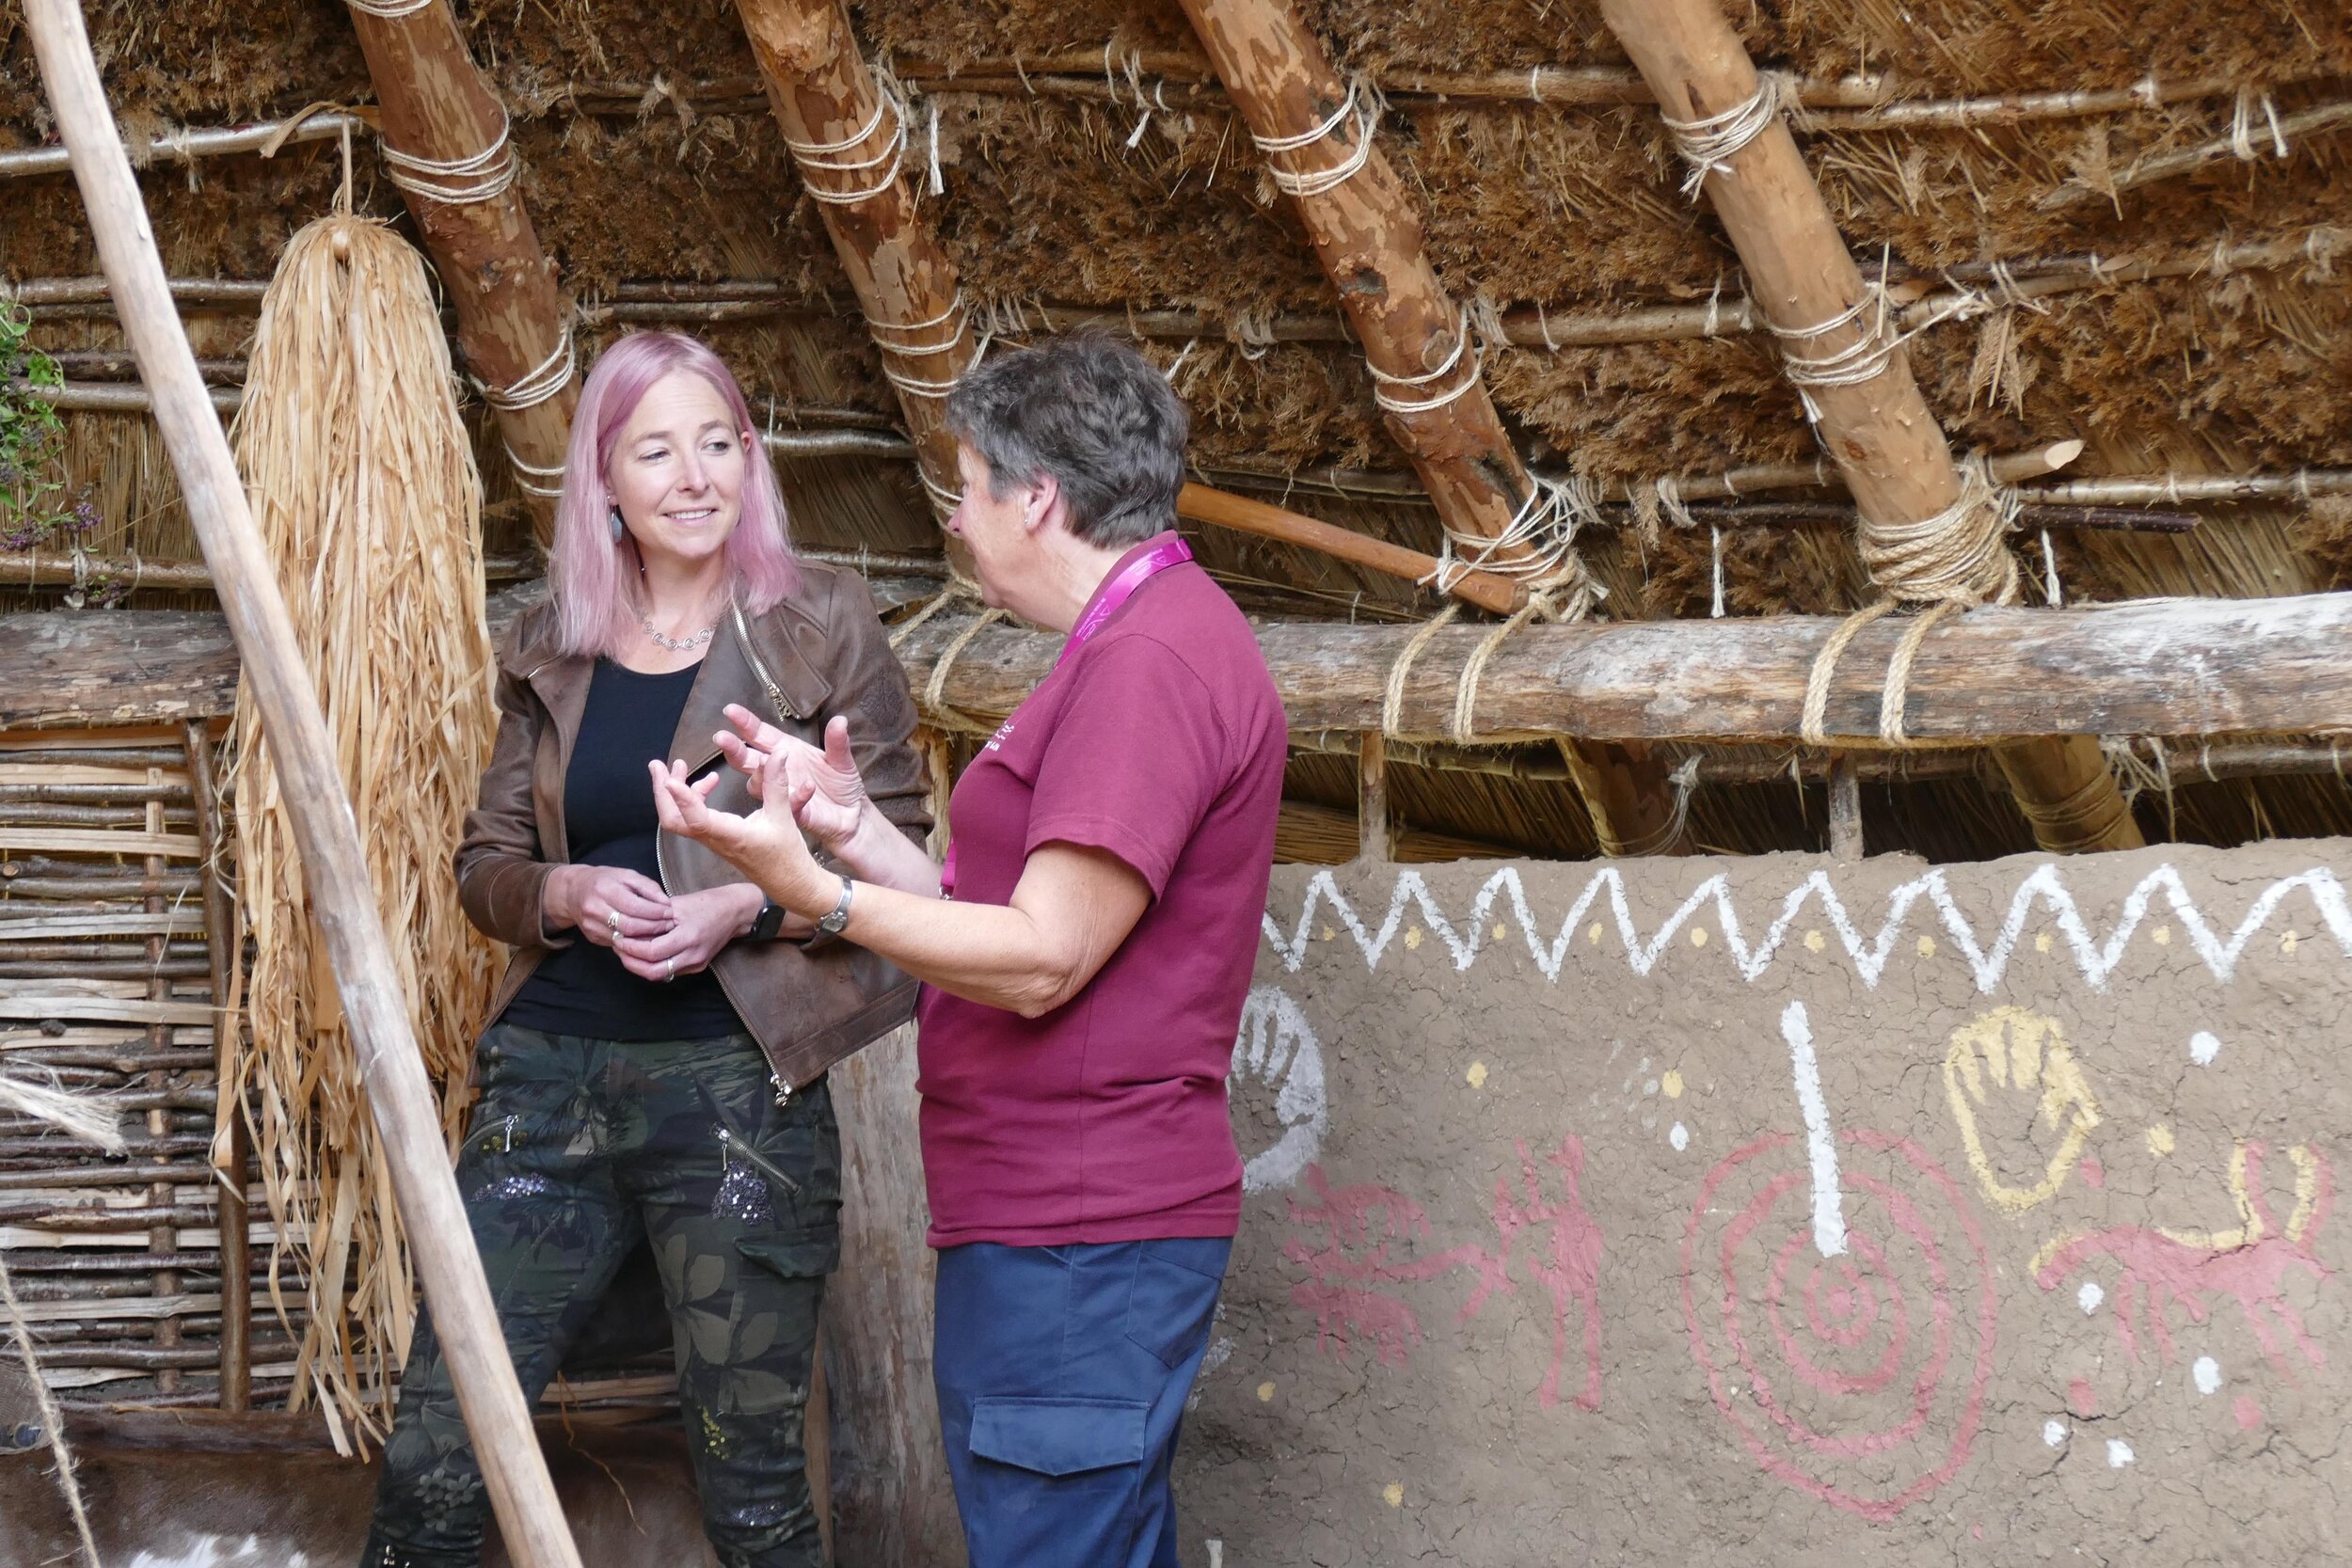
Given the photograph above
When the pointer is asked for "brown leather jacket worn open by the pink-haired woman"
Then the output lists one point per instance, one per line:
(817, 655)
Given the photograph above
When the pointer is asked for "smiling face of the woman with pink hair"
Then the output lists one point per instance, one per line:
(679, 469)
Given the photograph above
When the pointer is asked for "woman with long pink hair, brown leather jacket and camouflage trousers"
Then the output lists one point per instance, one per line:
(657, 1061)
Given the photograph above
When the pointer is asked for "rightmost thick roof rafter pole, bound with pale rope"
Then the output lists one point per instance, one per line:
(1852, 370)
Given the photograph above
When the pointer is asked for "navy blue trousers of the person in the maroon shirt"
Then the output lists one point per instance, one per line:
(1062, 1386)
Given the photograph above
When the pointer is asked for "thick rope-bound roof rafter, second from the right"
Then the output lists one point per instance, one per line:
(1321, 142)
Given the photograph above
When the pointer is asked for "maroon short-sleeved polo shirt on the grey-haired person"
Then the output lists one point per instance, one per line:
(1163, 742)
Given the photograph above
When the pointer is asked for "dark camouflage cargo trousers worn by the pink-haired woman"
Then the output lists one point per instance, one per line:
(577, 1151)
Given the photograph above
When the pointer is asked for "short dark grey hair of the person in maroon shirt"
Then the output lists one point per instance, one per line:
(1095, 415)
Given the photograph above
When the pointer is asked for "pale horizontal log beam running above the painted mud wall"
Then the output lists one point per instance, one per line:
(2141, 669)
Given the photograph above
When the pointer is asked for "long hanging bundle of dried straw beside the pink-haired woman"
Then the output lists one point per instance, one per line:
(366, 490)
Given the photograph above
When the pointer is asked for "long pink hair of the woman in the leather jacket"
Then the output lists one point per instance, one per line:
(596, 579)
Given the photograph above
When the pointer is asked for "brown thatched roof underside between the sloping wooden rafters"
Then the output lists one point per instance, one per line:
(1093, 166)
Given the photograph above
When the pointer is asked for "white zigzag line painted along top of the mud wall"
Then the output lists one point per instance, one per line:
(2043, 887)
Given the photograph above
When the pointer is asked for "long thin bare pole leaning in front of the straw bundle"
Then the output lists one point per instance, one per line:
(403, 1104)
